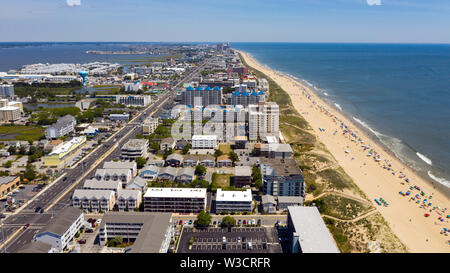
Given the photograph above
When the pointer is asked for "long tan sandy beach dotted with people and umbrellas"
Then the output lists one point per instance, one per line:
(367, 163)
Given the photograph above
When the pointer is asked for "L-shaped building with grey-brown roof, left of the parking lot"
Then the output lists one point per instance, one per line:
(149, 232)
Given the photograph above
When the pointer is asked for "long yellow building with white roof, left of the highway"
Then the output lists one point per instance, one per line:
(62, 151)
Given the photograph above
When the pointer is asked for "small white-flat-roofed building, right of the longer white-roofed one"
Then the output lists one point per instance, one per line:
(237, 201)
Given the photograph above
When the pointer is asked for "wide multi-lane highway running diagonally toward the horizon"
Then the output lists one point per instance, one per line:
(58, 195)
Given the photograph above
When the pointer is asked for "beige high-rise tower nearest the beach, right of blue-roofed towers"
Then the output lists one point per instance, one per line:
(263, 120)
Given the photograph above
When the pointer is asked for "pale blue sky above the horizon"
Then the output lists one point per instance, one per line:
(407, 21)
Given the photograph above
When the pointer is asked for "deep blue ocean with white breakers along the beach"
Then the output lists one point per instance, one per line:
(400, 93)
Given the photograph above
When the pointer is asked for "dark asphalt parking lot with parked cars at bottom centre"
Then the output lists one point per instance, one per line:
(238, 240)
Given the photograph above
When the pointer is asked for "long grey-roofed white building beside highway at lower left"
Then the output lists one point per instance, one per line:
(61, 229)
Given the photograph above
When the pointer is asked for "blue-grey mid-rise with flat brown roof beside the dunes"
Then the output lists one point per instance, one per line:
(282, 177)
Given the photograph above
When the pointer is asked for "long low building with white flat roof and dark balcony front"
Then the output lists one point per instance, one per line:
(179, 200)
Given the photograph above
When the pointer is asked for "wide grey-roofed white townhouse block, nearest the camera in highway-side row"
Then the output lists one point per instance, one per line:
(96, 200)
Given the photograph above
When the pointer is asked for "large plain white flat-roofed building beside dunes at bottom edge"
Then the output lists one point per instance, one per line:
(307, 233)
